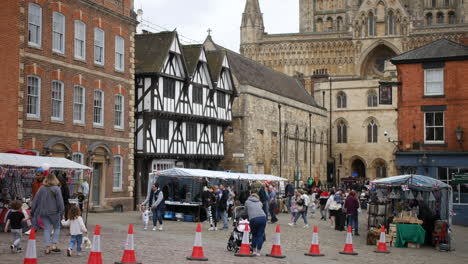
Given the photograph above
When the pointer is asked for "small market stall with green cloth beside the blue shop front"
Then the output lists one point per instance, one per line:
(415, 209)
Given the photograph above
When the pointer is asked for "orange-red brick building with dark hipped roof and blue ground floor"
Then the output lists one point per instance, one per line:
(432, 115)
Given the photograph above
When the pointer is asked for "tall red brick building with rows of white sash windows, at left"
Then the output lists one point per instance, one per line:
(68, 87)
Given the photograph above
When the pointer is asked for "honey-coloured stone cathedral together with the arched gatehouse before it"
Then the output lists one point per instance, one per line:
(351, 41)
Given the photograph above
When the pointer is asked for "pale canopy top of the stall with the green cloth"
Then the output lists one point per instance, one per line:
(416, 182)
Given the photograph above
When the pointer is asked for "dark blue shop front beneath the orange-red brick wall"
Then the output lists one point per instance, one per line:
(444, 166)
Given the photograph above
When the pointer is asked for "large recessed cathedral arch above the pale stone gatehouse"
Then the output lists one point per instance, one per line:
(374, 63)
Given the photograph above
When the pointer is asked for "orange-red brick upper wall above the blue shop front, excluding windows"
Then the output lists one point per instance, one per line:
(411, 99)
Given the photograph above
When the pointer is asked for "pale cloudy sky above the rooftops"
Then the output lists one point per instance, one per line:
(192, 18)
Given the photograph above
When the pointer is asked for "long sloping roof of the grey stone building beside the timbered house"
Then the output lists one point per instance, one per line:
(249, 72)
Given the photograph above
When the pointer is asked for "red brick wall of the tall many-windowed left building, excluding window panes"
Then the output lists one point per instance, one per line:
(97, 143)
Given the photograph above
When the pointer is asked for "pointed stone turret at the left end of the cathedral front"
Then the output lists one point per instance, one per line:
(252, 27)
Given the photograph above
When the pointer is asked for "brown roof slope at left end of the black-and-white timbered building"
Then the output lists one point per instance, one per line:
(151, 50)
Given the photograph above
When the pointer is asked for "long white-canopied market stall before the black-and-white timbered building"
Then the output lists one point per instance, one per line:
(183, 187)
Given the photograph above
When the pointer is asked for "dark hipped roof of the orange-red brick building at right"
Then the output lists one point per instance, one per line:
(439, 50)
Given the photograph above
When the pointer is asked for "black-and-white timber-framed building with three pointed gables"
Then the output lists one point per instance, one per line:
(183, 105)
